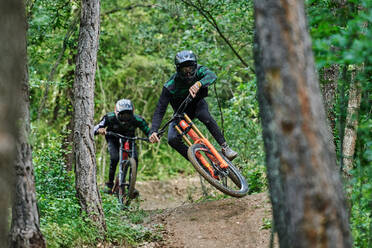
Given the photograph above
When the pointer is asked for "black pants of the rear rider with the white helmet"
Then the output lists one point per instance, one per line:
(113, 147)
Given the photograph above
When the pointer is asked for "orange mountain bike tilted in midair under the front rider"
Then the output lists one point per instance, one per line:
(208, 162)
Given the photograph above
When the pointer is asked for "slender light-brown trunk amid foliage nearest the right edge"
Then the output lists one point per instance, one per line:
(350, 134)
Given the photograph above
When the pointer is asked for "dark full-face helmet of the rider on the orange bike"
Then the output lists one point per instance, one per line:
(186, 64)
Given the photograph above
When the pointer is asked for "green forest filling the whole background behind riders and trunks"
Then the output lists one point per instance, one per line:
(138, 42)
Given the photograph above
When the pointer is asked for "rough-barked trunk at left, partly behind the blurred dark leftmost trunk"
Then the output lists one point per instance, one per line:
(25, 227)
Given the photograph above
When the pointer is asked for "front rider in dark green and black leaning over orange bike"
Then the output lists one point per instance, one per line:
(194, 79)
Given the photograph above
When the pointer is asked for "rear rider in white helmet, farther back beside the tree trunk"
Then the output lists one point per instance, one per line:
(122, 121)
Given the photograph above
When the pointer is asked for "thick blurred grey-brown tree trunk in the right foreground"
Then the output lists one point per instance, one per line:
(306, 192)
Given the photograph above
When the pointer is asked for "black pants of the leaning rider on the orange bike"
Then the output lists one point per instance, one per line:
(197, 110)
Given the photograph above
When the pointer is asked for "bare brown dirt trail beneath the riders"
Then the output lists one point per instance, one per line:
(182, 220)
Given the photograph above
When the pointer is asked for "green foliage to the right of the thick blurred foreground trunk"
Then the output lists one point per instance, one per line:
(341, 35)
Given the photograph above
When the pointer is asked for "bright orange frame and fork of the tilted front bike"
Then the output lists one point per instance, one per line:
(199, 138)
